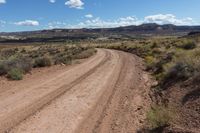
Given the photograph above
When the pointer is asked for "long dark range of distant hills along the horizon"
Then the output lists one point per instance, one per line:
(61, 35)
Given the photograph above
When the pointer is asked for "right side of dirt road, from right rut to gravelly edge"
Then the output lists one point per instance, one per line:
(120, 109)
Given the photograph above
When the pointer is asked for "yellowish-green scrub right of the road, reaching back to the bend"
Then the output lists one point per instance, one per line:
(166, 57)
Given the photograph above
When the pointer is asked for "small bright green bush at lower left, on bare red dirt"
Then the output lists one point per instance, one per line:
(15, 74)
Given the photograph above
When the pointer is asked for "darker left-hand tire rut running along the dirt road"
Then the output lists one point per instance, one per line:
(18, 115)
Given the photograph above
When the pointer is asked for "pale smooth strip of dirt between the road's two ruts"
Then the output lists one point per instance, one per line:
(71, 107)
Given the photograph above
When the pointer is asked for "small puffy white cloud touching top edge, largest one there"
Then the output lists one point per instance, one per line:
(78, 4)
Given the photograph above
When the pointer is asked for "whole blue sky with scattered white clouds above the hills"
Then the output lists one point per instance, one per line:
(22, 15)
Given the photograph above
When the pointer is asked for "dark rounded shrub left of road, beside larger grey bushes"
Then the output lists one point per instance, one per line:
(43, 62)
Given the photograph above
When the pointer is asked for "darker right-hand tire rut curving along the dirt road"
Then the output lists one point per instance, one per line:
(96, 116)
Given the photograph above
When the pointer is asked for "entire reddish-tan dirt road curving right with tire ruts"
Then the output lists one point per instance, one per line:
(106, 93)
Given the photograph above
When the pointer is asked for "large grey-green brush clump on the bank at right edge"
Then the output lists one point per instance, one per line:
(182, 67)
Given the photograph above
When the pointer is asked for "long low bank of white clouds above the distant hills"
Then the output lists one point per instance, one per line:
(125, 21)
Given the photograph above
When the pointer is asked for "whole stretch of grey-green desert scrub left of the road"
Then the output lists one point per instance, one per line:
(24, 58)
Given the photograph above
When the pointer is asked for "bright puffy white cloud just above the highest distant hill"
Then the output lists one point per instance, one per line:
(168, 19)
